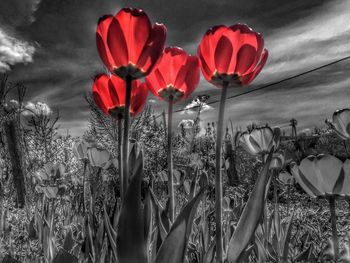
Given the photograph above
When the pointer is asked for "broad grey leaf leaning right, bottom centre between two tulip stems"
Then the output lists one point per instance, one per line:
(174, 246)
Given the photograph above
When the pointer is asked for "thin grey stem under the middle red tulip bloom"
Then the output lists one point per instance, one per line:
(170, 160)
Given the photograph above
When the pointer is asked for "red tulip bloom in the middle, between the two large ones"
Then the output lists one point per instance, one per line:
(177, 75)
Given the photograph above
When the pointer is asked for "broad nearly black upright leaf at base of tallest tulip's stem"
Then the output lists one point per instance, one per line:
(131, 246)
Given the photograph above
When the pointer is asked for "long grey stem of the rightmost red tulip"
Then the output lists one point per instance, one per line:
(218, 177)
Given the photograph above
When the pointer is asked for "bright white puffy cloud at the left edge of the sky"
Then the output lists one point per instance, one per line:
(14, 51)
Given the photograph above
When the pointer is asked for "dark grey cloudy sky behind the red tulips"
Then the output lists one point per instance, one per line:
(49, 46)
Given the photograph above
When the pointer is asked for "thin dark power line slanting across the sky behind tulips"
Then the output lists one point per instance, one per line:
(270, 84)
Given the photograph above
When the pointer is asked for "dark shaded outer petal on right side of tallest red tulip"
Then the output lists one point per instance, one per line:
(153, 49)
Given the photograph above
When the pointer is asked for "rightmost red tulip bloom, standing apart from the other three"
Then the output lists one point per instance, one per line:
(233, 54)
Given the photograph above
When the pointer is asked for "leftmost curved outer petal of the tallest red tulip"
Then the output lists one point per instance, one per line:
(101, 41)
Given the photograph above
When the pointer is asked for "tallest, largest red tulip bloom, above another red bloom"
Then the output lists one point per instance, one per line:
(128, 44)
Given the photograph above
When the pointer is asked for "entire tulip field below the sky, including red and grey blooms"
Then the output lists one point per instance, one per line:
(133, 188)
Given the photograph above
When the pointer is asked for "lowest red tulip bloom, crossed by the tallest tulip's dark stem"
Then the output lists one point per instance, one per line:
(109, 95)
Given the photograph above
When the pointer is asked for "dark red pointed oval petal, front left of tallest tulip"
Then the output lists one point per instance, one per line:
(117, 44)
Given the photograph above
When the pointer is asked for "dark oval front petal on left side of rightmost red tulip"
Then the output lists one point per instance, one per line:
(223, 54)
